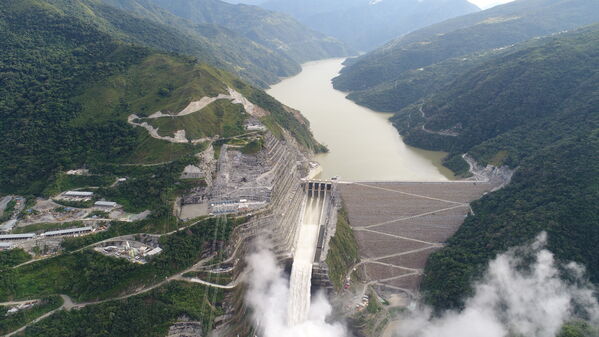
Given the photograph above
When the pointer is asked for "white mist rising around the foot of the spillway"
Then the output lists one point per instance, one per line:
(268, 295)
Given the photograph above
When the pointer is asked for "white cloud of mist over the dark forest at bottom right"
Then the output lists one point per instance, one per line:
(513, 299)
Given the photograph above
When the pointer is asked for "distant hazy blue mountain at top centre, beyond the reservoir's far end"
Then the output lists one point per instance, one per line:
(366, 24)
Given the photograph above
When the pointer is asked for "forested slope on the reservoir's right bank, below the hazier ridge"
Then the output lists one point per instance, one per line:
(495, 110)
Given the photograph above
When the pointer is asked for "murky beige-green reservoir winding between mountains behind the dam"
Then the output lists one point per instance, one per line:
(363, 144)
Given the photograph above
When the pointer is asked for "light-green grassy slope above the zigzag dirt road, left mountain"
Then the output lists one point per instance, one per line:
(159, 83)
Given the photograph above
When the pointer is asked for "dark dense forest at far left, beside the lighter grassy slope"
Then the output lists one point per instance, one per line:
(44, 59)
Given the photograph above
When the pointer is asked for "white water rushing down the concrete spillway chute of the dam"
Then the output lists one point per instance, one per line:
(301, 271)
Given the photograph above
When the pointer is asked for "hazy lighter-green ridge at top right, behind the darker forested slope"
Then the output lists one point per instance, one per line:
(407, 68)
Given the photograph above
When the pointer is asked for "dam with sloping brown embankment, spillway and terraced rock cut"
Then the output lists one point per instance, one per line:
(397, 225)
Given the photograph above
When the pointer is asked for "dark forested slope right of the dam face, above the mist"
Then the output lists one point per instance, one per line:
(555, 190)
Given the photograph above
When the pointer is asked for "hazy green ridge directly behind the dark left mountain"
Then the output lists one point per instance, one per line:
(163, 31)
